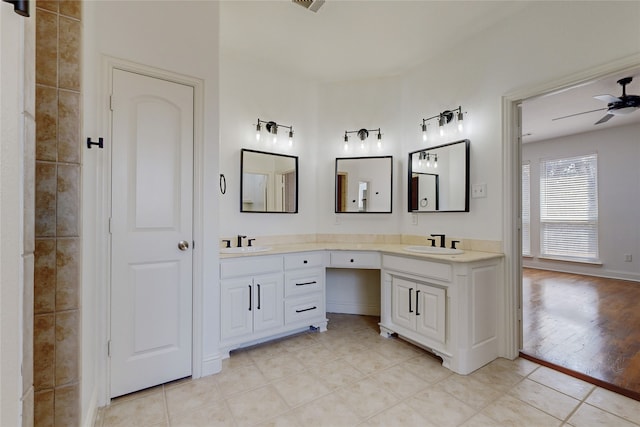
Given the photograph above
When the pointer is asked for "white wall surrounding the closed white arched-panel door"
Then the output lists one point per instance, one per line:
(179, 37)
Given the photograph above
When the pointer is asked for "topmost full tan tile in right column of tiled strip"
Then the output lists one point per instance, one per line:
(69, 55)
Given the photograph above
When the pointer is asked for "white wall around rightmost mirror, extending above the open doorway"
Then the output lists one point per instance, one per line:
(543, 42)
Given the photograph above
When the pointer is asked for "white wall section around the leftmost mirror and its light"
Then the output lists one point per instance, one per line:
(249, 91)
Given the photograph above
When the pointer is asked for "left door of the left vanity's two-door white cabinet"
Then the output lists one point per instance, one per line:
(236, 315)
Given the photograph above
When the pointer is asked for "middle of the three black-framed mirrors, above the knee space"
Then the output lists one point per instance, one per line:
(364, 184)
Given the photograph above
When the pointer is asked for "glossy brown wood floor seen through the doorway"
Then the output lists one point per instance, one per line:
(588, 325)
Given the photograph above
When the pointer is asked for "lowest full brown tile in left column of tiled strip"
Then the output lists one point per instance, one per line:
(43, 351)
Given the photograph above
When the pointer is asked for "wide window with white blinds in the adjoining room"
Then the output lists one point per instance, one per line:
(569, 208)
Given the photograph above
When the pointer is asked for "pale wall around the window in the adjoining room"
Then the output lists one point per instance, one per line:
(618, 151)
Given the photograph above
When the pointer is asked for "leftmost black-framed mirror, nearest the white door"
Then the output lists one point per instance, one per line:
(268, 182)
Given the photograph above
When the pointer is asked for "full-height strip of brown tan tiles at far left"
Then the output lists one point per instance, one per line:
(56, 344)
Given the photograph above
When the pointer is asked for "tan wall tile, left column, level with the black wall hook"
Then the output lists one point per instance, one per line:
(46, 123)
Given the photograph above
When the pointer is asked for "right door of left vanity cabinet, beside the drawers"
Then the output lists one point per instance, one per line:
(268, 310)
